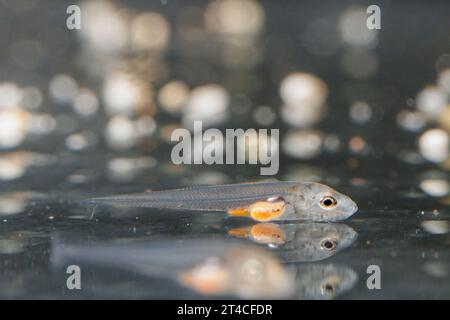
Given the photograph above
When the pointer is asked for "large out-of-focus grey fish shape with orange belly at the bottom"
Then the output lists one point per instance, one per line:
(211, 267)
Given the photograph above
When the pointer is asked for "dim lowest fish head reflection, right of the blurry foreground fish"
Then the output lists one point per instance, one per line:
(324, 281)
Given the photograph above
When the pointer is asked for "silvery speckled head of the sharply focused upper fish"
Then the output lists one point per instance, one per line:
(318, 202)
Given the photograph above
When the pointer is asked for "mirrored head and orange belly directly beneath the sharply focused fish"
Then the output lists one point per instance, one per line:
(302, 241)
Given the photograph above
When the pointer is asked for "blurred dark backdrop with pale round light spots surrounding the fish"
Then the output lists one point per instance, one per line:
(90, 112)
